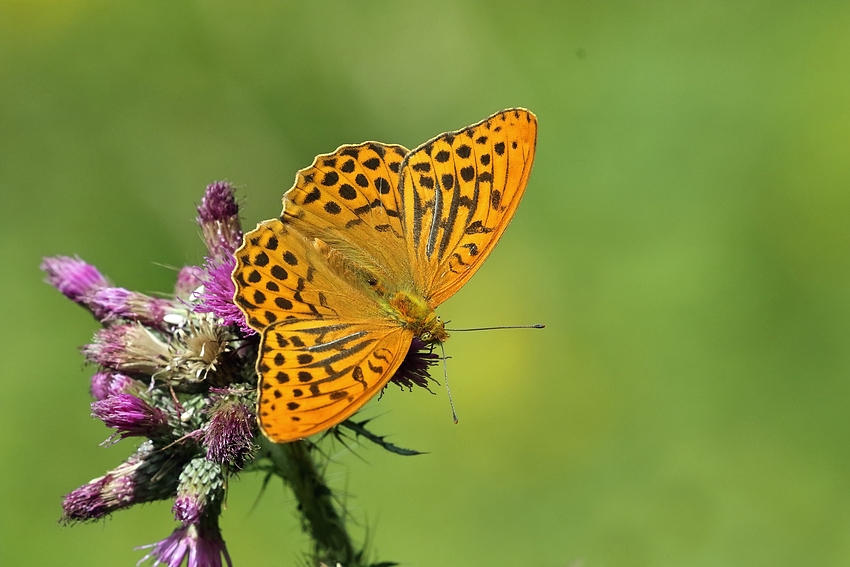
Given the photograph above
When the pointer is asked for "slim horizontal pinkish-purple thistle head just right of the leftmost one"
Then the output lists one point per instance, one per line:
(111, 303)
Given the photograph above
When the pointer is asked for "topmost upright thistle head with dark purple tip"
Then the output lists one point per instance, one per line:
(218, 217)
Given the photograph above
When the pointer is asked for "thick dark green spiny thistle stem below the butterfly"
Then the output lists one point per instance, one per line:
(294, 463)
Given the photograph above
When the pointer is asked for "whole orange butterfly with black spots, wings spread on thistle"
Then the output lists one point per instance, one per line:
(372, 238)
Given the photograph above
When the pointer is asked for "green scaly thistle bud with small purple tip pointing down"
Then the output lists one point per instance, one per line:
(200, 491)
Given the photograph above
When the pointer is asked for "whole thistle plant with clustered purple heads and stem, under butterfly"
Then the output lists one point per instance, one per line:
(181, 373)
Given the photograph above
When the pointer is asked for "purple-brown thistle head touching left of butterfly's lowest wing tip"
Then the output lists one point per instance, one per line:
(229, 435)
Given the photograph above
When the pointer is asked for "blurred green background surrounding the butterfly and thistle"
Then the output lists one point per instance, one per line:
(685, 238)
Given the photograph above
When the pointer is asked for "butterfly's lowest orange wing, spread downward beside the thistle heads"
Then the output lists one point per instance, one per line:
(316, 373)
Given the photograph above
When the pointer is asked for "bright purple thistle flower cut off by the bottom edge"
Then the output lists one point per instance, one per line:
(200, 544)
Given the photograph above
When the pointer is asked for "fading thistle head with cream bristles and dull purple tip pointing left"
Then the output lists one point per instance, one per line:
(129, 348)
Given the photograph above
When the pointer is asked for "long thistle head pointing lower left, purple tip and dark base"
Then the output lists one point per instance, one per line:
(144, 477)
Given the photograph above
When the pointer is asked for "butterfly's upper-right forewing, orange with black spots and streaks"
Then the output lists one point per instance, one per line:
(459, 192)
